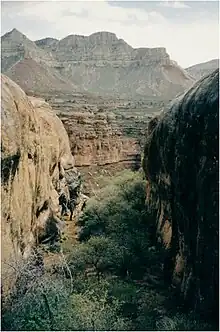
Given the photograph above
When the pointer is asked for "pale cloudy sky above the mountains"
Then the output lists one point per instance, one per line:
(187, 29)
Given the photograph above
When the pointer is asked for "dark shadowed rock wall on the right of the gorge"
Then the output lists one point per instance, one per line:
(181, 163)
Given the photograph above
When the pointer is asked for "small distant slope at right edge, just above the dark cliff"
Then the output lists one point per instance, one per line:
(203, 69)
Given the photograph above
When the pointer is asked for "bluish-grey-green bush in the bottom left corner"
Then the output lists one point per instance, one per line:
(37, 307)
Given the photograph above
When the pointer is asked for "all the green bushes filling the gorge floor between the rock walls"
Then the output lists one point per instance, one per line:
(110, 280)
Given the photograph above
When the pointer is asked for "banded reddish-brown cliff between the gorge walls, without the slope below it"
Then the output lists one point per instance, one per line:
(96, 140)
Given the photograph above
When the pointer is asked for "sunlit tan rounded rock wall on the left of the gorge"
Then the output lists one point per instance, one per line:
(37, 167)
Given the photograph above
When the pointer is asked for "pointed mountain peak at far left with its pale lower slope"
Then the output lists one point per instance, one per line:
(30, 66)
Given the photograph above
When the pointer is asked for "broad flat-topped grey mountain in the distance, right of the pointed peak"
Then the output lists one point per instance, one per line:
(111, 66)
